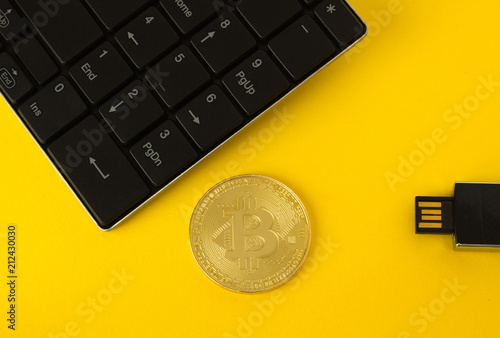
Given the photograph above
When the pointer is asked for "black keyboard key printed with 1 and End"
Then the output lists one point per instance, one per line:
(100, 72)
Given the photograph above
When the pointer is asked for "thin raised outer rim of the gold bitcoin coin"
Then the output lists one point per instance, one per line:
(305, 215)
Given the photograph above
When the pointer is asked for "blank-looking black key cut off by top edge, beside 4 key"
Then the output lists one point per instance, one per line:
(112, 12)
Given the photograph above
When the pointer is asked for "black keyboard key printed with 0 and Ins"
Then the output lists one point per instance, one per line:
(52, 109)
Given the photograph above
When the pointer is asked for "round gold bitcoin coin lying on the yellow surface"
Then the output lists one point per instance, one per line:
(249, 234)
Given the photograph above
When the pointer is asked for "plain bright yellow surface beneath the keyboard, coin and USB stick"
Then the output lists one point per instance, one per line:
(338, 141)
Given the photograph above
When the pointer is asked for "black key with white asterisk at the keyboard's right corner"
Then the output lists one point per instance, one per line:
(340, 21)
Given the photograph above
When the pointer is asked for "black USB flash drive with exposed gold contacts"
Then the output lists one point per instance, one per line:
(473, 215)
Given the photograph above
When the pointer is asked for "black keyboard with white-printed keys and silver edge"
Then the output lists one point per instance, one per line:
(126, 95)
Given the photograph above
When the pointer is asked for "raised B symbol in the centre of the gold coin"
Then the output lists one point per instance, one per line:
(252, 237)
